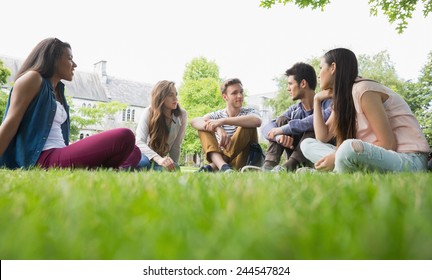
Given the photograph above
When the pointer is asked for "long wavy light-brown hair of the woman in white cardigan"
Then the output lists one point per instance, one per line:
(158, 129)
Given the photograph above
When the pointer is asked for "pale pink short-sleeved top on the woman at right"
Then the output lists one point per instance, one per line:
(409, 136)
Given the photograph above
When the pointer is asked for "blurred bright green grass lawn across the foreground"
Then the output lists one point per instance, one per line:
(61, 214)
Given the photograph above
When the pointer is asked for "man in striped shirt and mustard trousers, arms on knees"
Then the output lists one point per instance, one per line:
(227, 134)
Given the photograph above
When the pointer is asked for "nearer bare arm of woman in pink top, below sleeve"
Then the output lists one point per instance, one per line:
(373, 109)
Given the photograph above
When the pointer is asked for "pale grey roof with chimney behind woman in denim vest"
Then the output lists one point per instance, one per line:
(96, 86)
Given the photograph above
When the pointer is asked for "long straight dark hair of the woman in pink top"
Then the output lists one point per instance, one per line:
(343, 103)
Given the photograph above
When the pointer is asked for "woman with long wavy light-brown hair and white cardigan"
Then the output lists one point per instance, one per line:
(161, 129)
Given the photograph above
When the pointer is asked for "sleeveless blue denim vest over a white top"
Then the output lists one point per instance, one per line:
(26, 146)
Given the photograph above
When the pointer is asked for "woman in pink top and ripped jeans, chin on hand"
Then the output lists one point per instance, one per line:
(374, 127)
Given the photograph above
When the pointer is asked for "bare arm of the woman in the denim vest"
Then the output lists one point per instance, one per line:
(24, 91)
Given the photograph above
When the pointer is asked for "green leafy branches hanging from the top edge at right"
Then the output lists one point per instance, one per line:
(396, 11)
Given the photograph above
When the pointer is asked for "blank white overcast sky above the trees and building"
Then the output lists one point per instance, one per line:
(149, 41)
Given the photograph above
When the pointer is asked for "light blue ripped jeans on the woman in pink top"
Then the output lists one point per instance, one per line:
(356, 155)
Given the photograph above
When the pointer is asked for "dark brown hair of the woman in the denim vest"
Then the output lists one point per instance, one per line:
(43, 57)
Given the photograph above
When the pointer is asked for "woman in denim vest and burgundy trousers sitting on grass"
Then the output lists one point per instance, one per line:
(36, 125)
